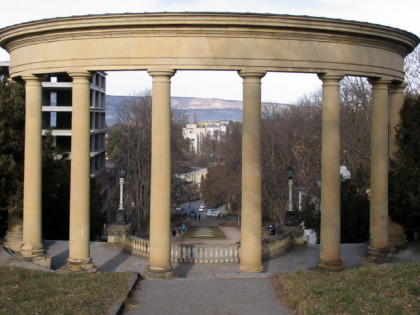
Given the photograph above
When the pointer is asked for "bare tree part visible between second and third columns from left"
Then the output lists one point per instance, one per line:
(131, 143)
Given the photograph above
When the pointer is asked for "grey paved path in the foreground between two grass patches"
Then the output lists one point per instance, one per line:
(206, 296)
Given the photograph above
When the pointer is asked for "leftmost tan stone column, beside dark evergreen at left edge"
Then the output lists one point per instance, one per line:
(32, 248)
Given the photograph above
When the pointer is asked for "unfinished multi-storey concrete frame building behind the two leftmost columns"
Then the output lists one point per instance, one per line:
(57, 114)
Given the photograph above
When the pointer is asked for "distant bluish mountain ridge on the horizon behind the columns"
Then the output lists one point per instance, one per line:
(206, 109)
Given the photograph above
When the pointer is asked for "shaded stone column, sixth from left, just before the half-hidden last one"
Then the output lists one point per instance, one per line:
(378, 246)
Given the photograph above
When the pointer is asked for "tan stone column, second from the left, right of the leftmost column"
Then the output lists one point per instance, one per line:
(79, 238)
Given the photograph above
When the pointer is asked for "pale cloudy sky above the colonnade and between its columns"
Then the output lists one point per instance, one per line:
(401, 14)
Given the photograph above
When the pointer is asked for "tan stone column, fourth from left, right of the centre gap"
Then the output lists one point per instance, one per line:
(250, 251)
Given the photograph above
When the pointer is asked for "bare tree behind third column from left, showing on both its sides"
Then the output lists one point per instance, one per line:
(129, 147)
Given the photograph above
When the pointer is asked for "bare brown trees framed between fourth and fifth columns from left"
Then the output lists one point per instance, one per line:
(290, 137)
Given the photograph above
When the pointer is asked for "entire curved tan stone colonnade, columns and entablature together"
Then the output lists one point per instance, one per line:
(252, 45)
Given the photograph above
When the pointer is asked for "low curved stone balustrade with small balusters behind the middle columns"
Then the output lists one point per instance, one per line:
(209, 253)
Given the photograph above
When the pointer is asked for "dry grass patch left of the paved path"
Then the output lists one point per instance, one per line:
(25, 291)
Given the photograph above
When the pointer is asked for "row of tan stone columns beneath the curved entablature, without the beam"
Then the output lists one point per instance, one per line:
(384, 105)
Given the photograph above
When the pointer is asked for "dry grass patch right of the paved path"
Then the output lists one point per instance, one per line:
(370, 290)
